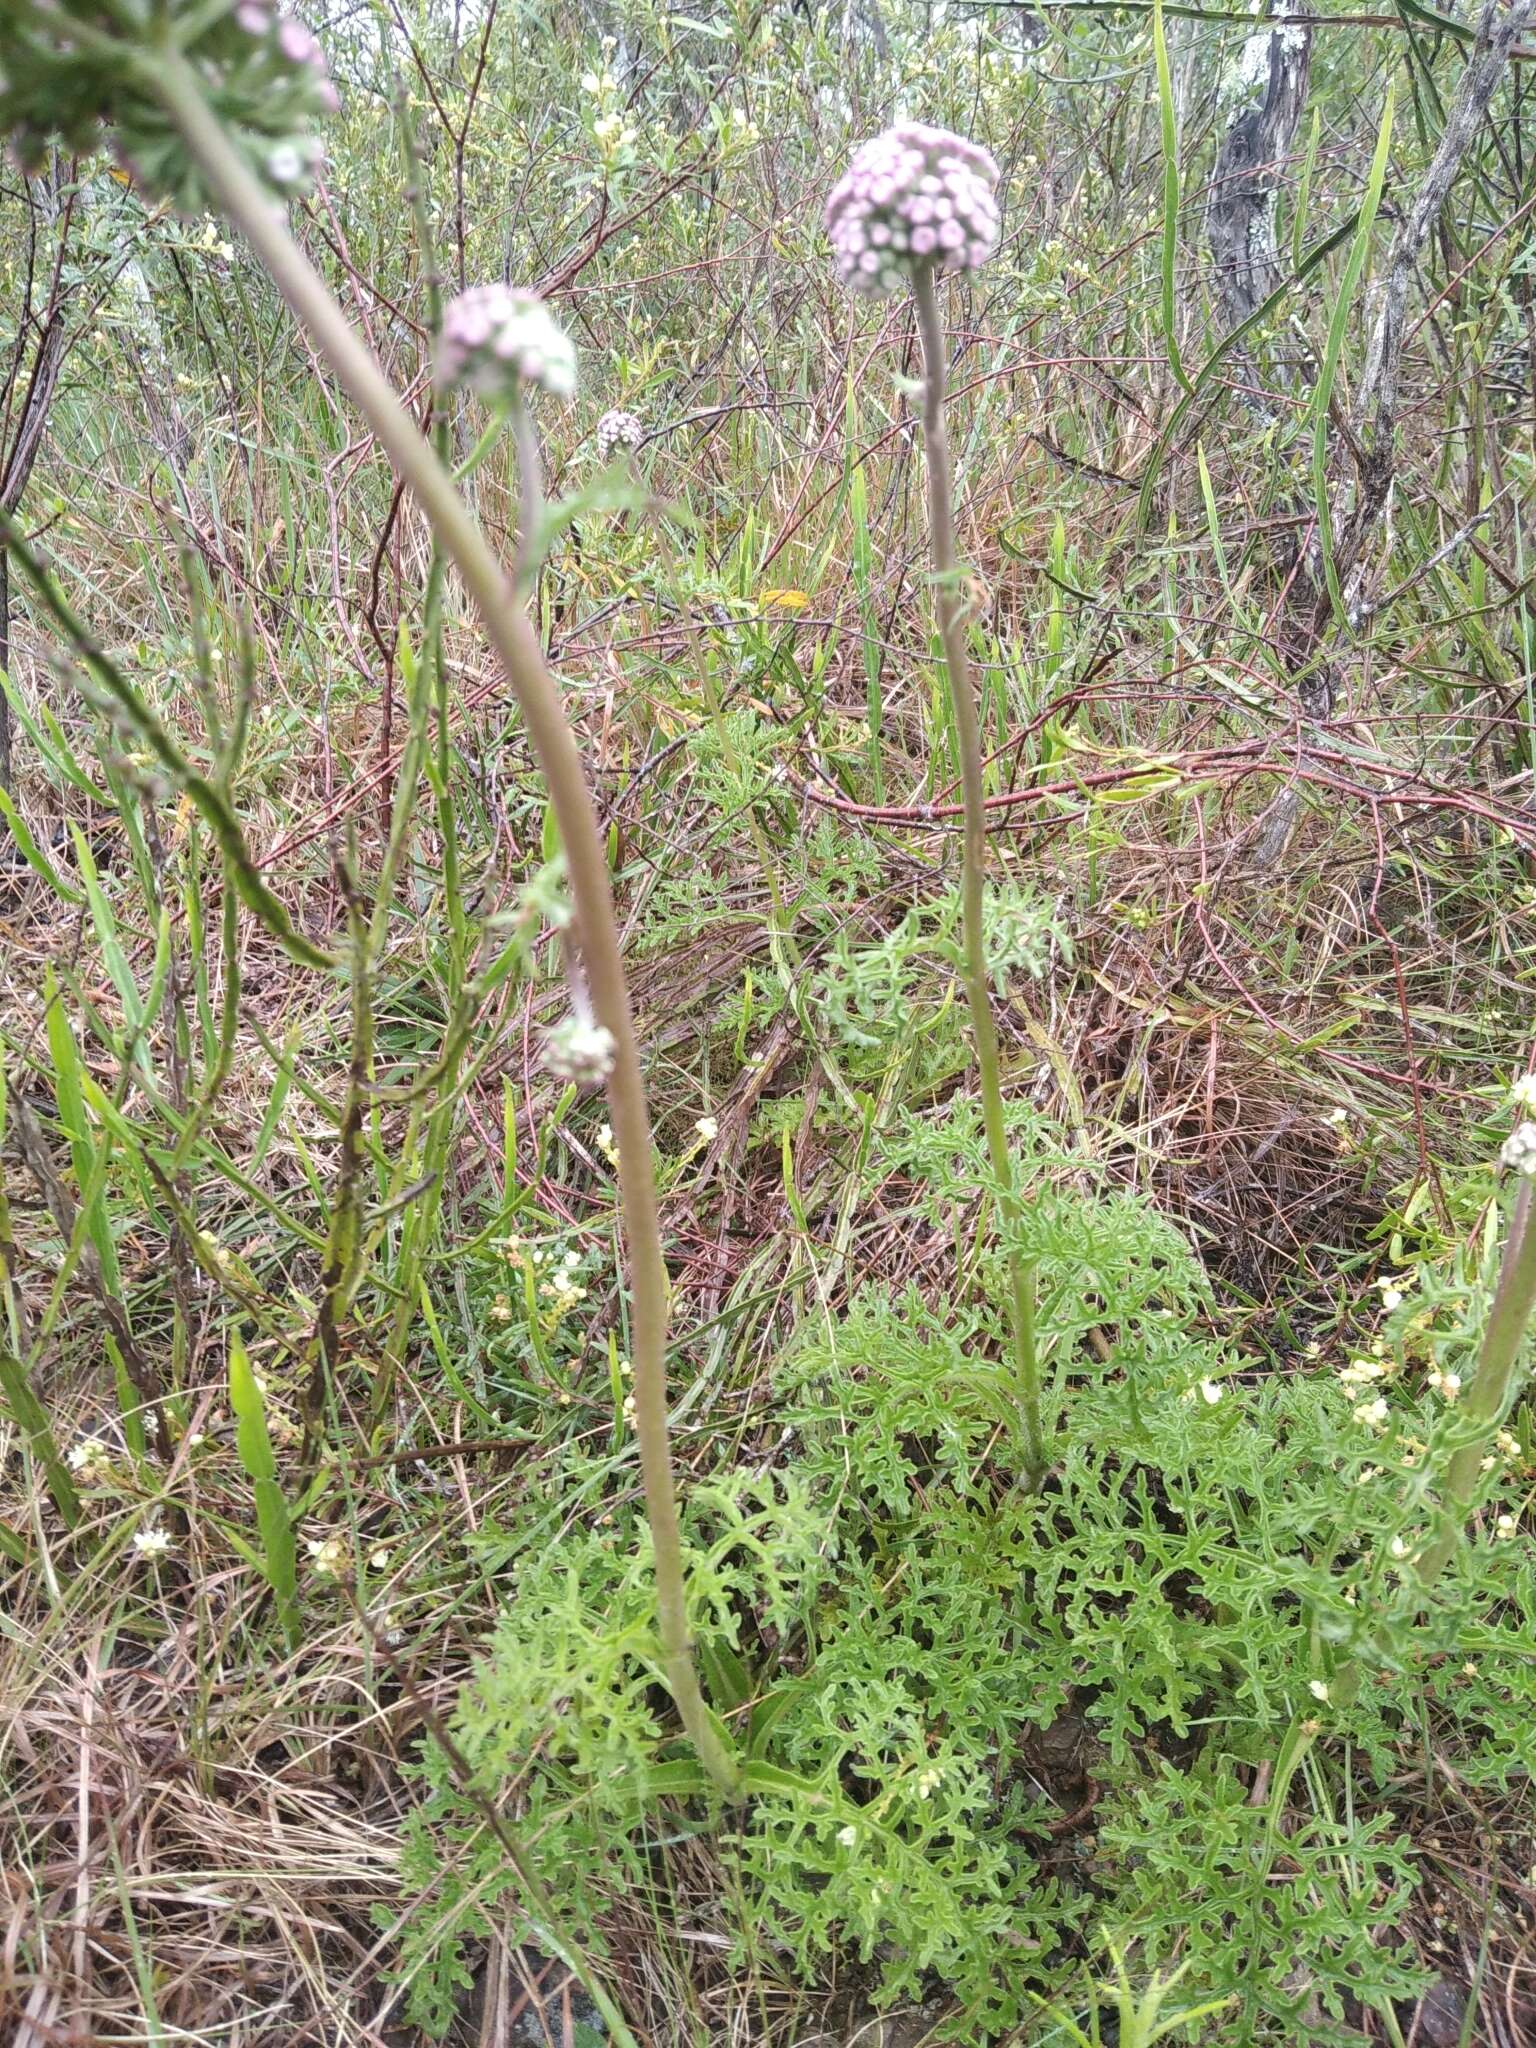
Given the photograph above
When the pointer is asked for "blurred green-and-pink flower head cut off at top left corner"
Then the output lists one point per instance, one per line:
(261, 69)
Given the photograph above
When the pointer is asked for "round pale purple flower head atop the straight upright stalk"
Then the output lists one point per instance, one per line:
(914, 196)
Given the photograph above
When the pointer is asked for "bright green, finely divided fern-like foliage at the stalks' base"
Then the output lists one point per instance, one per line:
(892, 1623)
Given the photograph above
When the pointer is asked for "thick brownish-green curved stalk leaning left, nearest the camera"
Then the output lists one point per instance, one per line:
(511, 634)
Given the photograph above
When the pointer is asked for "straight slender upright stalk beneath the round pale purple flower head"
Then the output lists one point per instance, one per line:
(974, 869)
